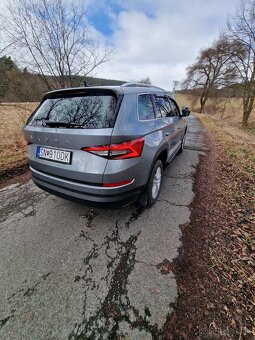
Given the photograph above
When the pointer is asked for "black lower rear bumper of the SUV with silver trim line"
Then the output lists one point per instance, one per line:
(88, 194)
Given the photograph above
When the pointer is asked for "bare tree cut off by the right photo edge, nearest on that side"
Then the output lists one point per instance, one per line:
(241, 36)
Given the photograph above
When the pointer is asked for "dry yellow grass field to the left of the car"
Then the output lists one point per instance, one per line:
(13, 146)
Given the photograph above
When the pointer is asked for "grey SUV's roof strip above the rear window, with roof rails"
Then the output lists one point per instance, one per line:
(126, 88)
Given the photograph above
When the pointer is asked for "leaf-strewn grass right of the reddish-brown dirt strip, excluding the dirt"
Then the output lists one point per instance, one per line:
(232, 252)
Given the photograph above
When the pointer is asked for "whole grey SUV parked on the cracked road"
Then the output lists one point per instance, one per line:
(104, 145)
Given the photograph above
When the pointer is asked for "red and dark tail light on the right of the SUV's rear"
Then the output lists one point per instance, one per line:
(129, 149)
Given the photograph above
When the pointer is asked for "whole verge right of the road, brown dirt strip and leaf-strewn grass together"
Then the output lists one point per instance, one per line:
(216, 265)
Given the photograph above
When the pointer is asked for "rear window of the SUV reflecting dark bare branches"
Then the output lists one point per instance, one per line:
(87, 111)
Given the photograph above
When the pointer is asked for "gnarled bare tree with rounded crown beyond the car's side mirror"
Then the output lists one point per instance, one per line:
(211, 70)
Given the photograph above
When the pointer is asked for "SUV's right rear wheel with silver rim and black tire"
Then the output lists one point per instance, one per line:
(154, 185)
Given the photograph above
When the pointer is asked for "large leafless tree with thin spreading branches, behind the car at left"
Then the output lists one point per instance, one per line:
(55, 39)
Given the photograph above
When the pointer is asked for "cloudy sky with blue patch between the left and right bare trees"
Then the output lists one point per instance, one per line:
(157, 38)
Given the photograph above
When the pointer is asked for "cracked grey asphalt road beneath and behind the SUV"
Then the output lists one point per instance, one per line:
(68, 271)
